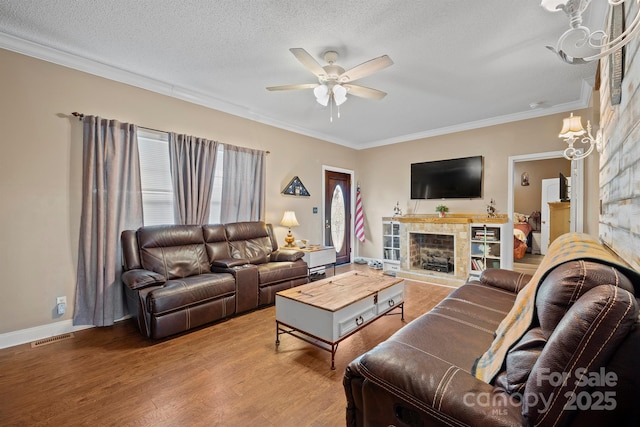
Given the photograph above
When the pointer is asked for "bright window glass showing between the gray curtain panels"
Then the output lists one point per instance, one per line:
(155, 176)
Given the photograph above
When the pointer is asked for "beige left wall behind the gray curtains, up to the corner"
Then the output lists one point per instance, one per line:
(40, 172)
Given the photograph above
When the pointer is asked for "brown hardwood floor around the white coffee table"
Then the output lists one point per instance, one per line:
(228, 373)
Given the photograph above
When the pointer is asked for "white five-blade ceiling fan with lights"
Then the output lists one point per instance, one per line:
(333, 81)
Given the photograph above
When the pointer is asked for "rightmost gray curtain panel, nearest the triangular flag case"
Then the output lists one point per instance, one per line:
(243, 184)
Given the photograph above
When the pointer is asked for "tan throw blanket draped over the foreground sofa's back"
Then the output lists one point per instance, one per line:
(567, 247)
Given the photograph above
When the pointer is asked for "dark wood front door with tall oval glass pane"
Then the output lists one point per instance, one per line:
(337, 215)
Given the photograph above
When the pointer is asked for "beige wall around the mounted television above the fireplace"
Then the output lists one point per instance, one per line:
(386, 170)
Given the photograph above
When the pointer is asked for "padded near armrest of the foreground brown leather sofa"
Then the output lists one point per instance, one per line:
(435, 386)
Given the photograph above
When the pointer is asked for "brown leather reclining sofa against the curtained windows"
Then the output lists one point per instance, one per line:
(178, 277)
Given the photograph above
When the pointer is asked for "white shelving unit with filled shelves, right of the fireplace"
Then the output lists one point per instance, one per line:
(487, 249)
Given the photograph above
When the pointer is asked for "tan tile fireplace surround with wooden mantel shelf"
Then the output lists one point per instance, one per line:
(438, 230)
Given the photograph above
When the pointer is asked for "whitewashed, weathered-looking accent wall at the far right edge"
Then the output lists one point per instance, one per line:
(619, 175)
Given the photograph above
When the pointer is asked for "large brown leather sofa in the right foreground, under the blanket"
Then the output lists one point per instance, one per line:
(577, 364)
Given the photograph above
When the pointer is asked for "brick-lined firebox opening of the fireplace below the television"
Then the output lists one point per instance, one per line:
(432, 251)
